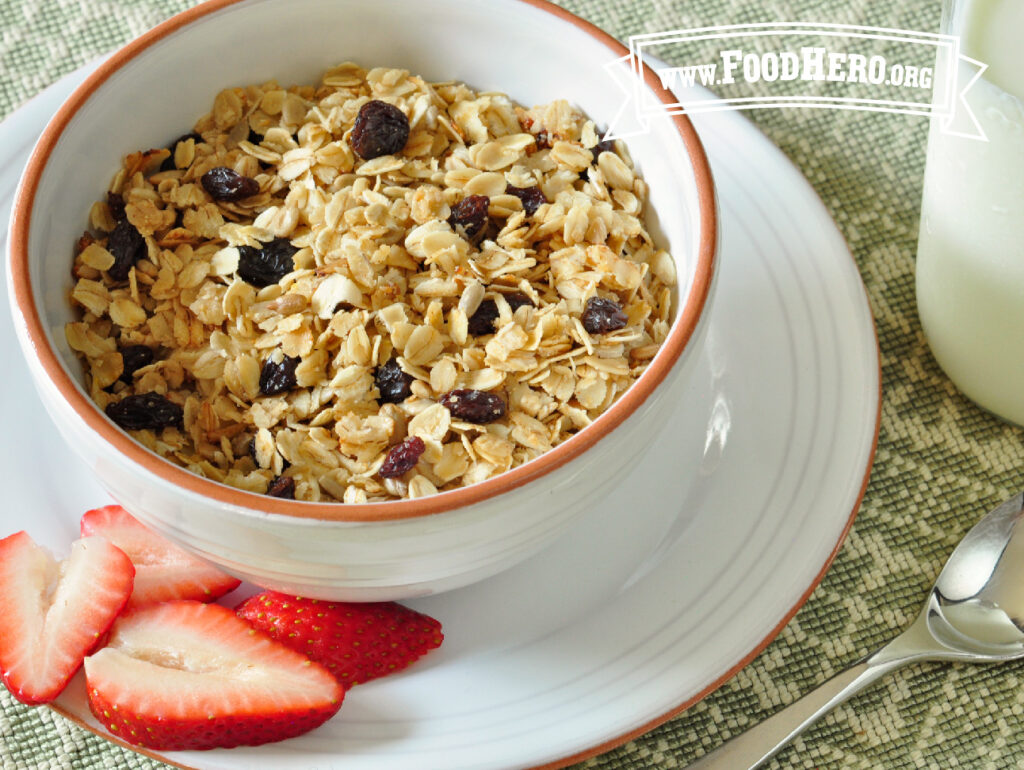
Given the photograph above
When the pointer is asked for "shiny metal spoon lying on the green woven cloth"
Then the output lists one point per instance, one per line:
(974, 614)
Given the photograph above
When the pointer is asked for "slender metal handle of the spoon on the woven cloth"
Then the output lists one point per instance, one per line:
(761, 743)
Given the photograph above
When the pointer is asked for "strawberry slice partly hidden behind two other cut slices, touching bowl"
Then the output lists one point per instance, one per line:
(163, 572)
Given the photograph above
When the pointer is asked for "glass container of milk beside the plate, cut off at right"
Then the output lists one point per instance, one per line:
(970, 270)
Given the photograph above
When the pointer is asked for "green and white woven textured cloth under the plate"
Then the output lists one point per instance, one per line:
(942, 462)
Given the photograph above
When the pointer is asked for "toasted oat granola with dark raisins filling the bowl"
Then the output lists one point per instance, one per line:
(334, 325)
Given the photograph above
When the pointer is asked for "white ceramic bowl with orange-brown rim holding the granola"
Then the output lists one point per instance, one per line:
(154, 91)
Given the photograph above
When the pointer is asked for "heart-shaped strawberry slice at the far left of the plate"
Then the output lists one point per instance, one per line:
(52, 615)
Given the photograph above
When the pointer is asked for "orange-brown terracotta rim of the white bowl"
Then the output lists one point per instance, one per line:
(674, 347)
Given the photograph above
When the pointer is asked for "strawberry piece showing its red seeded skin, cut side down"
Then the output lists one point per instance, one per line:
(357, 643)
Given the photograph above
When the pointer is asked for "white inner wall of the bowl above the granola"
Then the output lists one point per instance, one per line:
(168, 80)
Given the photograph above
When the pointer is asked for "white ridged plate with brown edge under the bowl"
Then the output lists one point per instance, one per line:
(653, 601)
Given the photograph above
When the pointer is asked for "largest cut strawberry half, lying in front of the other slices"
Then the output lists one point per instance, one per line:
(185, 675)
